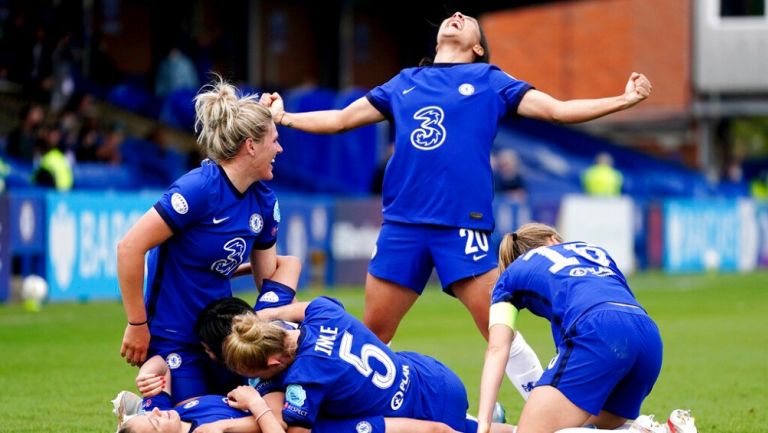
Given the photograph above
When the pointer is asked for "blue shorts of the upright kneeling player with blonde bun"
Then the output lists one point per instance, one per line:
(193, 373)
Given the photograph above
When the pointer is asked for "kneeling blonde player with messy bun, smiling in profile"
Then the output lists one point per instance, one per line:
(197, 235)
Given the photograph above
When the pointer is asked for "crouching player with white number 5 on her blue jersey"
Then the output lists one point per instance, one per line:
(334, 367)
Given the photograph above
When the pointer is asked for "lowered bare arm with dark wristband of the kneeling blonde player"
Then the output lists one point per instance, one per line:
(149, 231)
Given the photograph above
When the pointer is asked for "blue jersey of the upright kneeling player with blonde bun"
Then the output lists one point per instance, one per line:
(214, 229)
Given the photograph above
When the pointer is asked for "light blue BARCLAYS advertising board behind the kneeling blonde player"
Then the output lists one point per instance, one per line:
(83, 231)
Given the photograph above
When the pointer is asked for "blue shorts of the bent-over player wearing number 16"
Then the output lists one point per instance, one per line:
(609, 360)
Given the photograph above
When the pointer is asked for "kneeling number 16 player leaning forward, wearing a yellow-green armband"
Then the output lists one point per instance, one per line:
(608, 349)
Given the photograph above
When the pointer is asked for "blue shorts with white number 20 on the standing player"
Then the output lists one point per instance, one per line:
(406, 253)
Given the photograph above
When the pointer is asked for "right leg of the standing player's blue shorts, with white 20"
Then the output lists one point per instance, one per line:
(459, 254)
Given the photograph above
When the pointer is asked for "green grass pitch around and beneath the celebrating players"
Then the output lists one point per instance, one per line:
(60, 367)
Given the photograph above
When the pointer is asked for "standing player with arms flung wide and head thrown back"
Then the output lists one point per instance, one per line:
(438, 189)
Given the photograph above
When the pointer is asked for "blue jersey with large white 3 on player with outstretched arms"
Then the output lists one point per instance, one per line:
(446, 117)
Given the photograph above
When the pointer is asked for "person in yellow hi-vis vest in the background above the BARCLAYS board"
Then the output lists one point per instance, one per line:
(55, 169)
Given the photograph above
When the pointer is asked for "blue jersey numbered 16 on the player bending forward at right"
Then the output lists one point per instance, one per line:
(562, 282)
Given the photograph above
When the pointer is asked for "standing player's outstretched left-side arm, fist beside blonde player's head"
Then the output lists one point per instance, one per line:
(358, 113)
